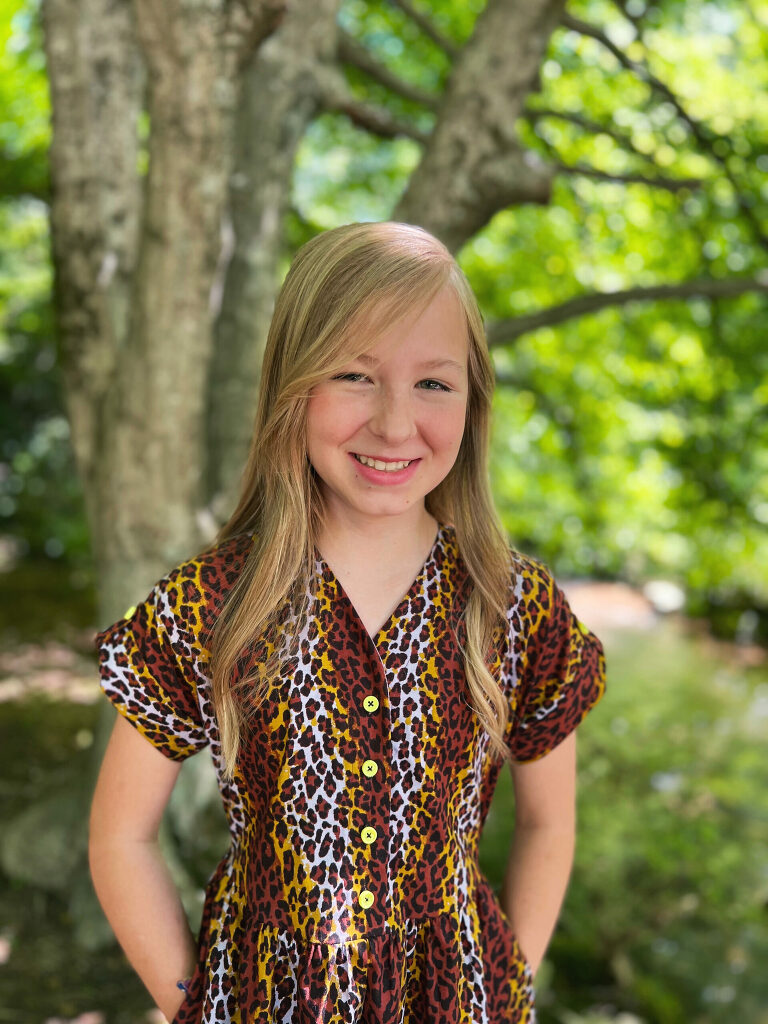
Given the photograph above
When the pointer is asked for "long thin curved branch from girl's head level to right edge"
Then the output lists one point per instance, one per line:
(505, 331)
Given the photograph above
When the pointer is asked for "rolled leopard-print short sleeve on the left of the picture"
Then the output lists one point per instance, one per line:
(146, 671)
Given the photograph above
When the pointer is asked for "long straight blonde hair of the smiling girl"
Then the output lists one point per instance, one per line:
(335, 282)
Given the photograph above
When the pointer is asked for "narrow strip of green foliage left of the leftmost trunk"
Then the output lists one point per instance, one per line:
(40, 497)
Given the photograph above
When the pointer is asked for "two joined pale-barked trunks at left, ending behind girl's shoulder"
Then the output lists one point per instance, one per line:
(136, 260)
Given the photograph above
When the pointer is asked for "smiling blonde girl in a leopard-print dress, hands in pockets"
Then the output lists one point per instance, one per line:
(362, 650)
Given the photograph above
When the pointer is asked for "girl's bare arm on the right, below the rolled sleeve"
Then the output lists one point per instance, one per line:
(542, 852)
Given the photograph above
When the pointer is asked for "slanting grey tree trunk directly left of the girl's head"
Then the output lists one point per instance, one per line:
(280, 99)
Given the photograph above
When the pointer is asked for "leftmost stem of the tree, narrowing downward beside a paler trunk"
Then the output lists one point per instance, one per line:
(97, 78)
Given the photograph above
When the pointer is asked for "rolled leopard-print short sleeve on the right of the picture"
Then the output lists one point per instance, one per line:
(563, 673)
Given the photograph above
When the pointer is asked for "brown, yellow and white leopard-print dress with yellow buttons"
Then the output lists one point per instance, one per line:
(351, 891)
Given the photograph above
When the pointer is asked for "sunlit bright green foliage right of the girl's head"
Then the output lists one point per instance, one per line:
(658, 409)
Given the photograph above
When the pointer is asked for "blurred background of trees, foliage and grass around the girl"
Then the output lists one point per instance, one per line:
(601, 170)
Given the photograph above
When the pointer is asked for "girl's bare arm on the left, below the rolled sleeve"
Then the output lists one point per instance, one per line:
(131, 877)
